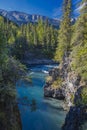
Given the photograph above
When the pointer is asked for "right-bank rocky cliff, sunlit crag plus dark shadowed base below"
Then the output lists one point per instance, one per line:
(69, 89)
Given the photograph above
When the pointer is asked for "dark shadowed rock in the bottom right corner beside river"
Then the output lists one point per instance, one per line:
(75, 118)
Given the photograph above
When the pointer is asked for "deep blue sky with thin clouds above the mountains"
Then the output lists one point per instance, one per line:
(50, 8)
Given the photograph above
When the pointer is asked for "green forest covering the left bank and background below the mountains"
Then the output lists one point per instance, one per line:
(15, 41)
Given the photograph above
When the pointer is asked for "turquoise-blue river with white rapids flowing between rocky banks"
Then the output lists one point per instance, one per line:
(37, 112)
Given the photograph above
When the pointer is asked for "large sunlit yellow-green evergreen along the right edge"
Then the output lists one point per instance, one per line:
(79, 44)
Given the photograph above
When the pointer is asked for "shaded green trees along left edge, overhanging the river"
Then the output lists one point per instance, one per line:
(10, 69)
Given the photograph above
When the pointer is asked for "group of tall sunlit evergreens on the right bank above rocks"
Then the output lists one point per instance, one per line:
(72, 47)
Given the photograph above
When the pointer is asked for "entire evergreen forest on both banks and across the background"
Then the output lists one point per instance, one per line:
(67, 45)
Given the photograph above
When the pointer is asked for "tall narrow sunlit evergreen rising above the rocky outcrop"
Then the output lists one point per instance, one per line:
(64, 32)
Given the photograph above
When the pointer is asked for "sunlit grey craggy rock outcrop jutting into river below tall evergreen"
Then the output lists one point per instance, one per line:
(70, 82)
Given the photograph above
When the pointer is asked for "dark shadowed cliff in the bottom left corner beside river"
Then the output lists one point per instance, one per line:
(9, 116)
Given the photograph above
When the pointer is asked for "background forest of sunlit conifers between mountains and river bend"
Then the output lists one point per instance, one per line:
(29, 37)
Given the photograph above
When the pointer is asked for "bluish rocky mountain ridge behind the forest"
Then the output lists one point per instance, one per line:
(23, 18)
